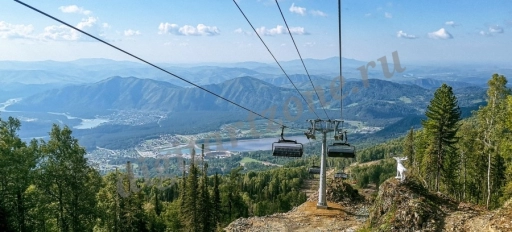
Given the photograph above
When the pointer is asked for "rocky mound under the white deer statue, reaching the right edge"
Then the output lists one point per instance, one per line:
(408, 206)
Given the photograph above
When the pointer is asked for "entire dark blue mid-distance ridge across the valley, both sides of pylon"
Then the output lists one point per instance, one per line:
(381, 102)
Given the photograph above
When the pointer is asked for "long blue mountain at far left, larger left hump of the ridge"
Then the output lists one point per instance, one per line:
(112, 93)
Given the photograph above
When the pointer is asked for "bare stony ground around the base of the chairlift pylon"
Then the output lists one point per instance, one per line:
(342, 214)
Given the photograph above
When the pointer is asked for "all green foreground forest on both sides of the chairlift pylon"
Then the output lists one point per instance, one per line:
(47, 185)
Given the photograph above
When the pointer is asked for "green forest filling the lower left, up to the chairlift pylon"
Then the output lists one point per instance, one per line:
(48, 186)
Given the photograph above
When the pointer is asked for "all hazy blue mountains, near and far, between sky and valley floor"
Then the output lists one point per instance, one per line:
(93, 88)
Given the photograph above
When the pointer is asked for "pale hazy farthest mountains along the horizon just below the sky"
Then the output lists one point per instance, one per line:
(94, 70)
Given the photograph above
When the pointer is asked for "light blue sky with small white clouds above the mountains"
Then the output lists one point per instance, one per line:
(433, 31)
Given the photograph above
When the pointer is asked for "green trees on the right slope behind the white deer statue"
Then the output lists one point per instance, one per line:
(467, 159)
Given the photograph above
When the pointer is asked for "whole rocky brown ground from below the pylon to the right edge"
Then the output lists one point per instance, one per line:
(399, 206)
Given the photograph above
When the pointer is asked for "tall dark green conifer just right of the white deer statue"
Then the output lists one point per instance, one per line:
(441, 125)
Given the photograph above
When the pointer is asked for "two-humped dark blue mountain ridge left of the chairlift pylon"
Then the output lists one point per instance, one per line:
(119, 93)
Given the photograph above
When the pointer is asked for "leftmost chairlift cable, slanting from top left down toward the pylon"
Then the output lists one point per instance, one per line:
(144, 61)
